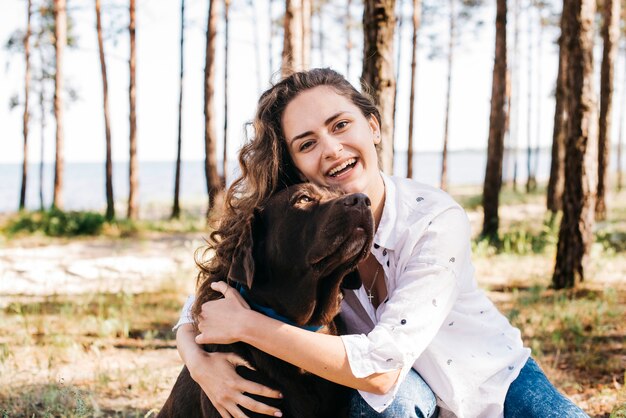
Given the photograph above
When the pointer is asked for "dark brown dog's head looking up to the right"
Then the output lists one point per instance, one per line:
(300, 249)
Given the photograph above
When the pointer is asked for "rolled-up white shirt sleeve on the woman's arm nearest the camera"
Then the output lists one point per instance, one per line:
(425, 290)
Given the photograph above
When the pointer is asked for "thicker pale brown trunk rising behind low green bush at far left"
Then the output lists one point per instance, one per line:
(60, 40)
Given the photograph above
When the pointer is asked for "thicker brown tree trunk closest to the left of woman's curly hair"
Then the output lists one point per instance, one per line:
(210, 137)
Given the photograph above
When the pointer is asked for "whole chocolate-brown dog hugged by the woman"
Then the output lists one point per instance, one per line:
(303, 247)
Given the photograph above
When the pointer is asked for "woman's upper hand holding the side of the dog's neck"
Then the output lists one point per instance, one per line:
(219, 318)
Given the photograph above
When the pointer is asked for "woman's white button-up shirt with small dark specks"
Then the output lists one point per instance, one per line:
(435, 319)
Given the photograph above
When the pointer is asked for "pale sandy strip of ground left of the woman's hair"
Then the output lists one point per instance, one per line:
(89, 265)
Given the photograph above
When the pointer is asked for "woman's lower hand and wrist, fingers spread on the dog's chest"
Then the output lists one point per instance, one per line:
(216, 375)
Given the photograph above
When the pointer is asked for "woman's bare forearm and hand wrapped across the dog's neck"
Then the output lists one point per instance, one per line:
(320, 354)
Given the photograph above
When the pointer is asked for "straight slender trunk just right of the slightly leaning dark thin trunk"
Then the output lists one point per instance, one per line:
(133, 165)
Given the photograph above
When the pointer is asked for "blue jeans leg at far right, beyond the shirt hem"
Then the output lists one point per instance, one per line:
(532, 395)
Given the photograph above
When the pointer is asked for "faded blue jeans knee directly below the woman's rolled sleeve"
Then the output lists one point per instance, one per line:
(413, 400)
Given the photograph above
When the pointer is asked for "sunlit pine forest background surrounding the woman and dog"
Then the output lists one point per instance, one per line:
(98, 242)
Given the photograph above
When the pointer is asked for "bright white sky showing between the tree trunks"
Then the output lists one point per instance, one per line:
(158, 40)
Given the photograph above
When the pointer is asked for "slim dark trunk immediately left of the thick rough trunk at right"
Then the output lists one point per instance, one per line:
(557, 162)
